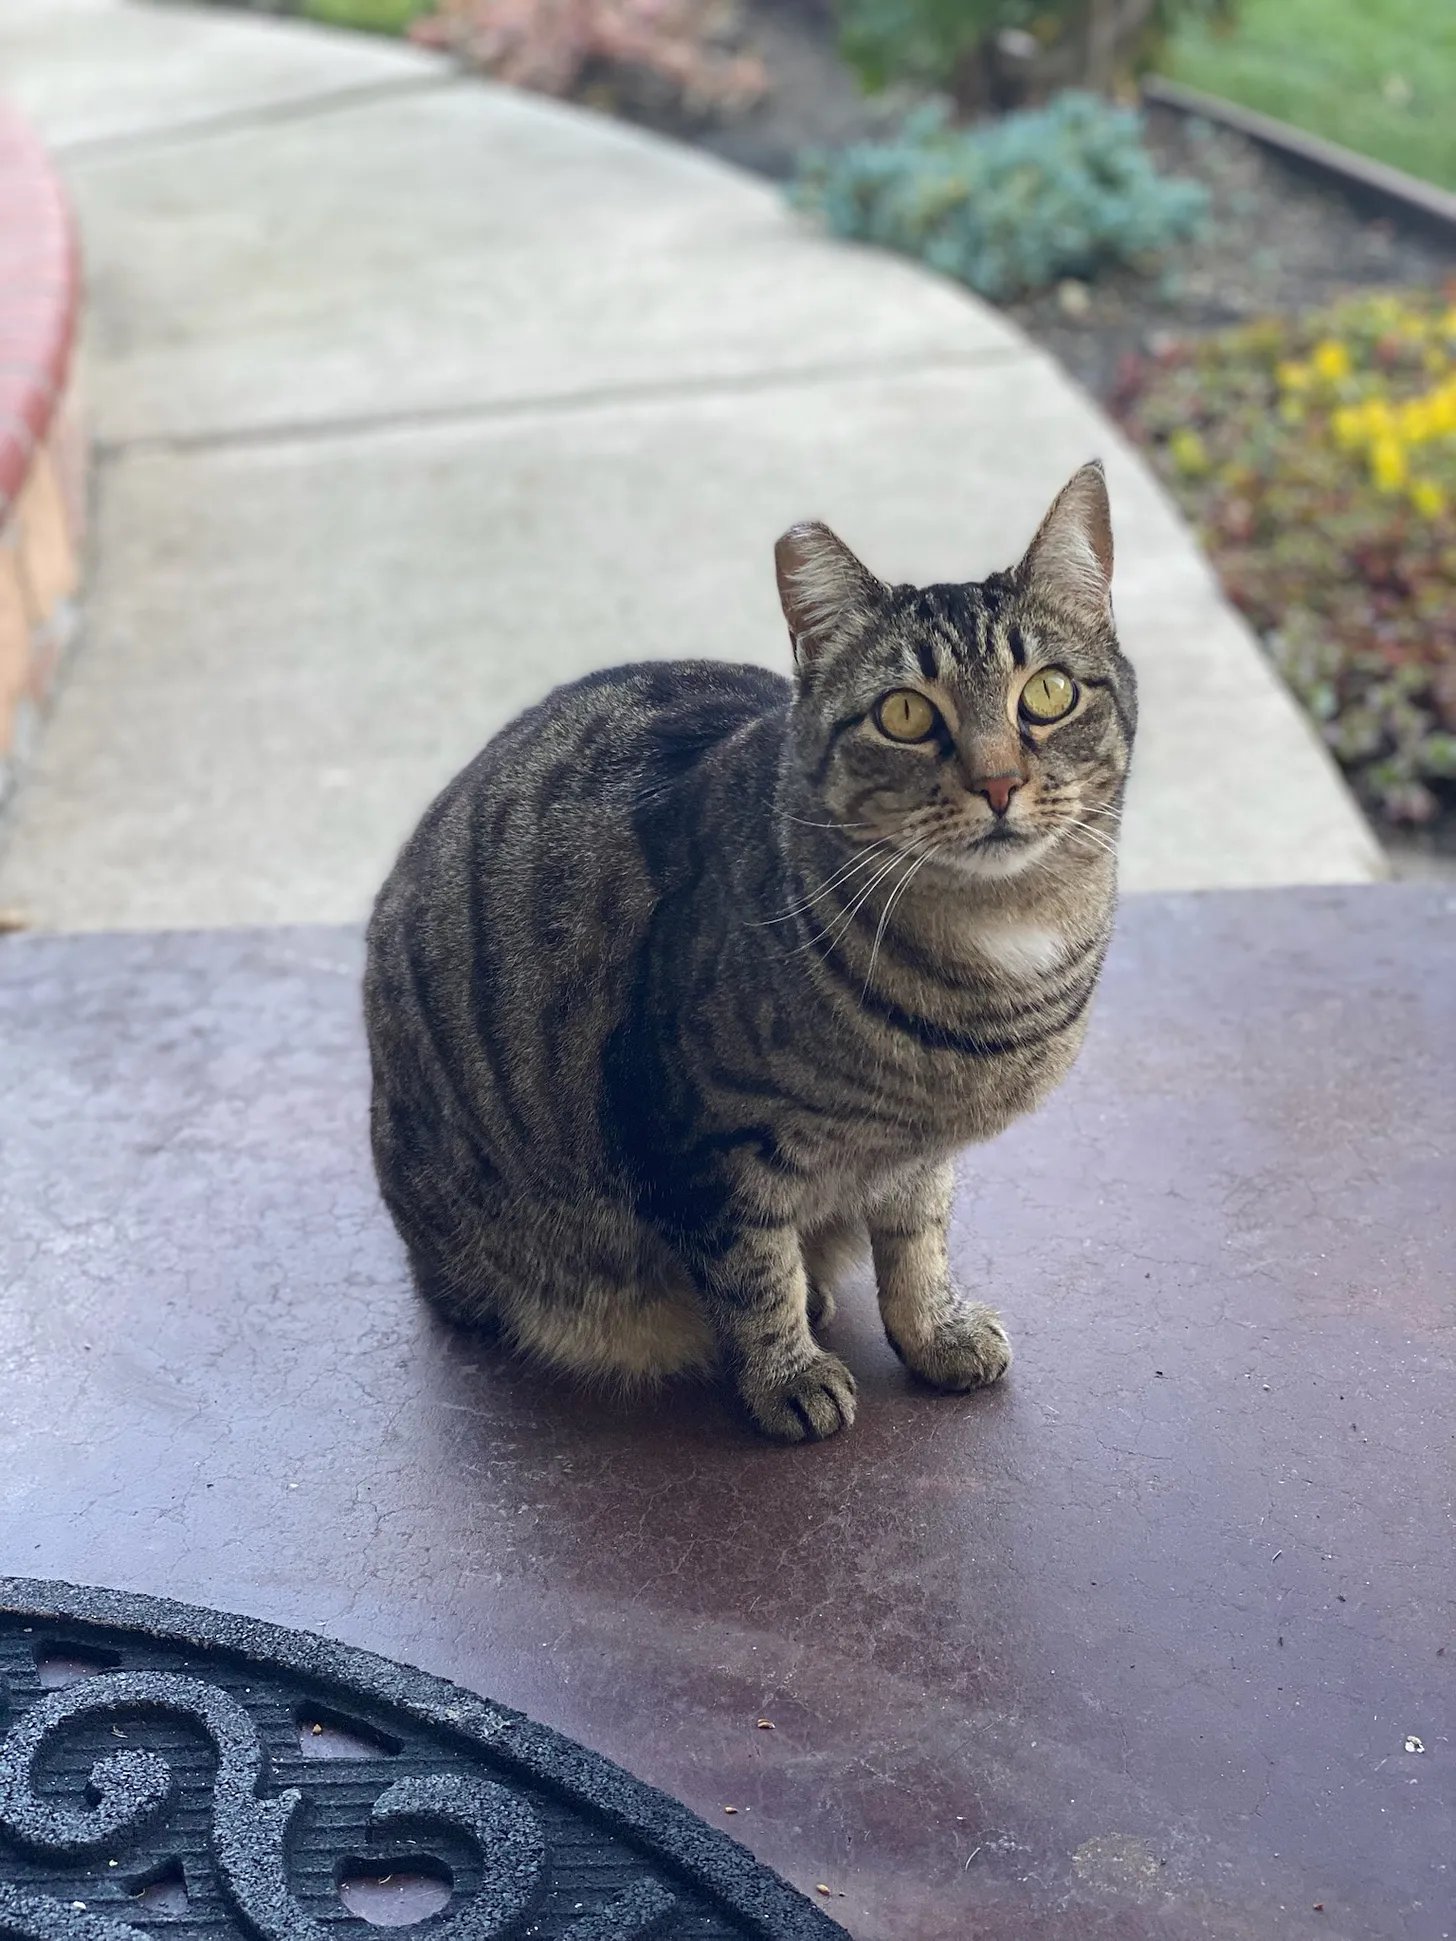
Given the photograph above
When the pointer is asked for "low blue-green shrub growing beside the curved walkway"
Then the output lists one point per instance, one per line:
(1009, 207)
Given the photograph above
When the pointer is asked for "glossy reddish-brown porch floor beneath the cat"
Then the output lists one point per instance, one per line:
(1131, 1647)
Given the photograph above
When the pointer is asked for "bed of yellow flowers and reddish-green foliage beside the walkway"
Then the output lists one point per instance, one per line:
(1317, 459)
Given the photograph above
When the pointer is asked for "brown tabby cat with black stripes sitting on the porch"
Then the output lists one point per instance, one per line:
(696, 979)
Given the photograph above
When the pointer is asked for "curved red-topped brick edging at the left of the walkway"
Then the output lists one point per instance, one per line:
(42, 447)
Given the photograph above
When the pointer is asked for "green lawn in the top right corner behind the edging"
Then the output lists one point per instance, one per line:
(1375, 75)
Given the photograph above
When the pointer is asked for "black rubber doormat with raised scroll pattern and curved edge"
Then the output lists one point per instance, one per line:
(180, 1773)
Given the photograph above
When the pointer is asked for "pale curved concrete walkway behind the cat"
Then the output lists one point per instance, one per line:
(416, 397)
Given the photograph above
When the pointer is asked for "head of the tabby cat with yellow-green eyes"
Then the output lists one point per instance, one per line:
(987, 721)
